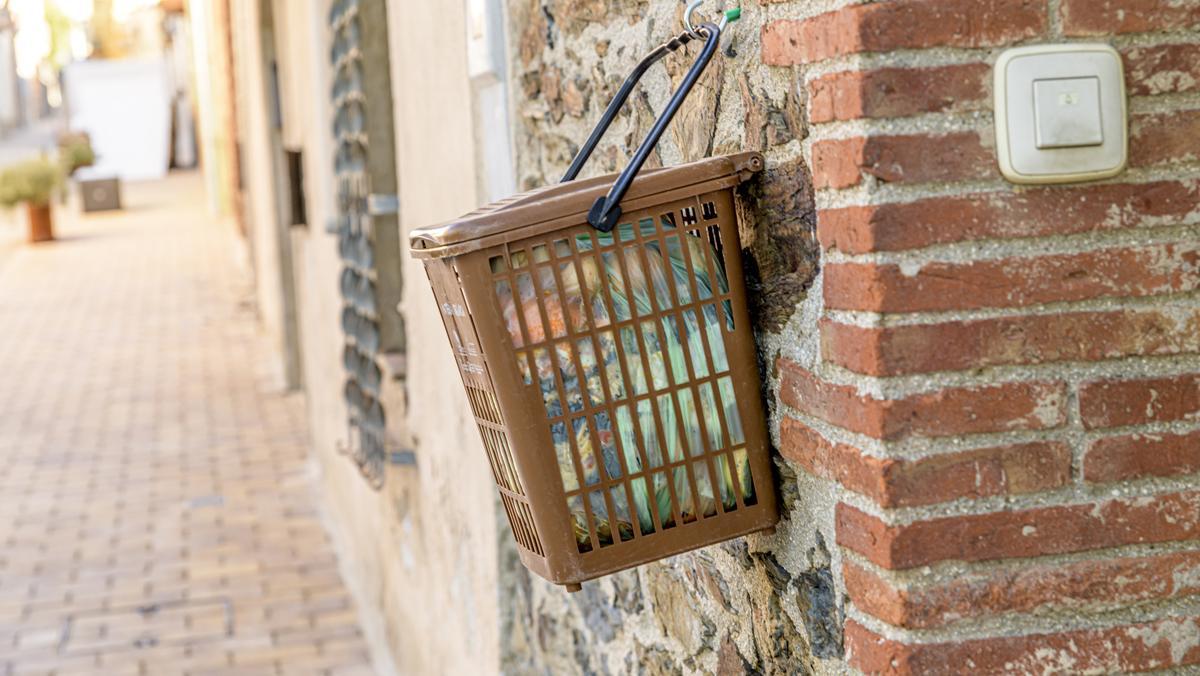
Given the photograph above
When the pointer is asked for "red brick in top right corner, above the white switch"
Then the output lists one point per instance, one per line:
(1106, 17)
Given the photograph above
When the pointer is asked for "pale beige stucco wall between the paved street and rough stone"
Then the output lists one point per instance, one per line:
(421, 554)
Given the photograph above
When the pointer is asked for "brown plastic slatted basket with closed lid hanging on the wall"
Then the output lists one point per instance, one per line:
(613, 374)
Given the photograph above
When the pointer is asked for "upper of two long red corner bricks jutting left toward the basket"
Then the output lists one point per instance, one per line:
(946, 412)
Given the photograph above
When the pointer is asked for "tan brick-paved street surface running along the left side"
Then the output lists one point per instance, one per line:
(157, 512)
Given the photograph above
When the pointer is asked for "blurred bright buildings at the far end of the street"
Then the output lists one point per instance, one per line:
(117, 70)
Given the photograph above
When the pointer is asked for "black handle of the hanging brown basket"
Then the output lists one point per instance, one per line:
(607, 211)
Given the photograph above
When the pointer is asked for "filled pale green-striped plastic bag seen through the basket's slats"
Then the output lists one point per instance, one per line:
(626, 336)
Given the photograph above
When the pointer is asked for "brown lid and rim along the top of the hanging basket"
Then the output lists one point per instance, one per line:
(551, 207)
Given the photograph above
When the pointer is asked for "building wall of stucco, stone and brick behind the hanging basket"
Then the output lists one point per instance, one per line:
(985, 399)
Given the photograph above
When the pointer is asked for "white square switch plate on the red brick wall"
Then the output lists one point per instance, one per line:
(1061, 113)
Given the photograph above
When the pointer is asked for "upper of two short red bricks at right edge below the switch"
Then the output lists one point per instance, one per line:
(1117, 404)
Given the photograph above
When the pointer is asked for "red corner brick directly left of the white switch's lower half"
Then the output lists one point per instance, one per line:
(902, 159)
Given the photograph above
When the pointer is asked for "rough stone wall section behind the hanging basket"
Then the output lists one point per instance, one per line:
(758, 603)
